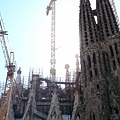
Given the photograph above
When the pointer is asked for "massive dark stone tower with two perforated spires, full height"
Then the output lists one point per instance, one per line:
(100, 62)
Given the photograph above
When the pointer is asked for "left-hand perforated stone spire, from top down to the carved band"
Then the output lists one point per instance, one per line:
(88, 28)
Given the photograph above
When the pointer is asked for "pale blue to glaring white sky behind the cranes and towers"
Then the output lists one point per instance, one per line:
(29, 30)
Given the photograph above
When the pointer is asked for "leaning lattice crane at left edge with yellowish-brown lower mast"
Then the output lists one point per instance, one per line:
(5, 107)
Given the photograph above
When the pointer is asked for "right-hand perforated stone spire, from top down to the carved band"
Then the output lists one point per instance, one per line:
(107, 24)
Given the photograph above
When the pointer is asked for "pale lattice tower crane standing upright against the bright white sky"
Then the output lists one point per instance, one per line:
(51, 6)
